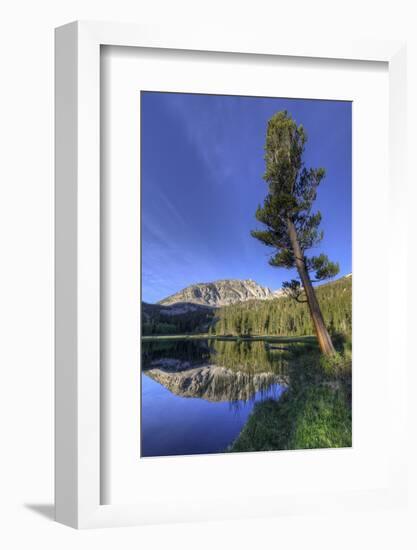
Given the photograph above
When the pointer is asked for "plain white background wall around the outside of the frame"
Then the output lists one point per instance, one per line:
(26, 286)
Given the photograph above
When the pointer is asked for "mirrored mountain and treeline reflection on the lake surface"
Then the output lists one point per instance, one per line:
(218, 370)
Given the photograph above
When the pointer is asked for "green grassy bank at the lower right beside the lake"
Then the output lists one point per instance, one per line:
(315, 412)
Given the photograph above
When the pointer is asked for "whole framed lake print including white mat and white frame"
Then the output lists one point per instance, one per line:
(220, 203)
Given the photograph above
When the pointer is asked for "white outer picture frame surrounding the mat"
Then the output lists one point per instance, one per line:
(78, 321)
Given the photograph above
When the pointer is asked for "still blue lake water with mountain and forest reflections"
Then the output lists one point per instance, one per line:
(197, 394)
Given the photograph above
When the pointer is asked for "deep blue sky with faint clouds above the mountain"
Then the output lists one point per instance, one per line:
(201, 176)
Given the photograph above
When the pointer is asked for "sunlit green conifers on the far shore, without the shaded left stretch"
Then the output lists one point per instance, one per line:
(285, 316)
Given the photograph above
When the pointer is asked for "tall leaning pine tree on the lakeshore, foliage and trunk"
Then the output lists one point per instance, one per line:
(291, 227)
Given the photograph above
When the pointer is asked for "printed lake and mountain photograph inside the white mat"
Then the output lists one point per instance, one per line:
(246, 274)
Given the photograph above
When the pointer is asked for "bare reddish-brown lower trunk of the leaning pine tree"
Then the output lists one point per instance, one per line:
(323, 336)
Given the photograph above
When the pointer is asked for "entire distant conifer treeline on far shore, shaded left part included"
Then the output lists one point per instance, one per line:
(280, 317)
